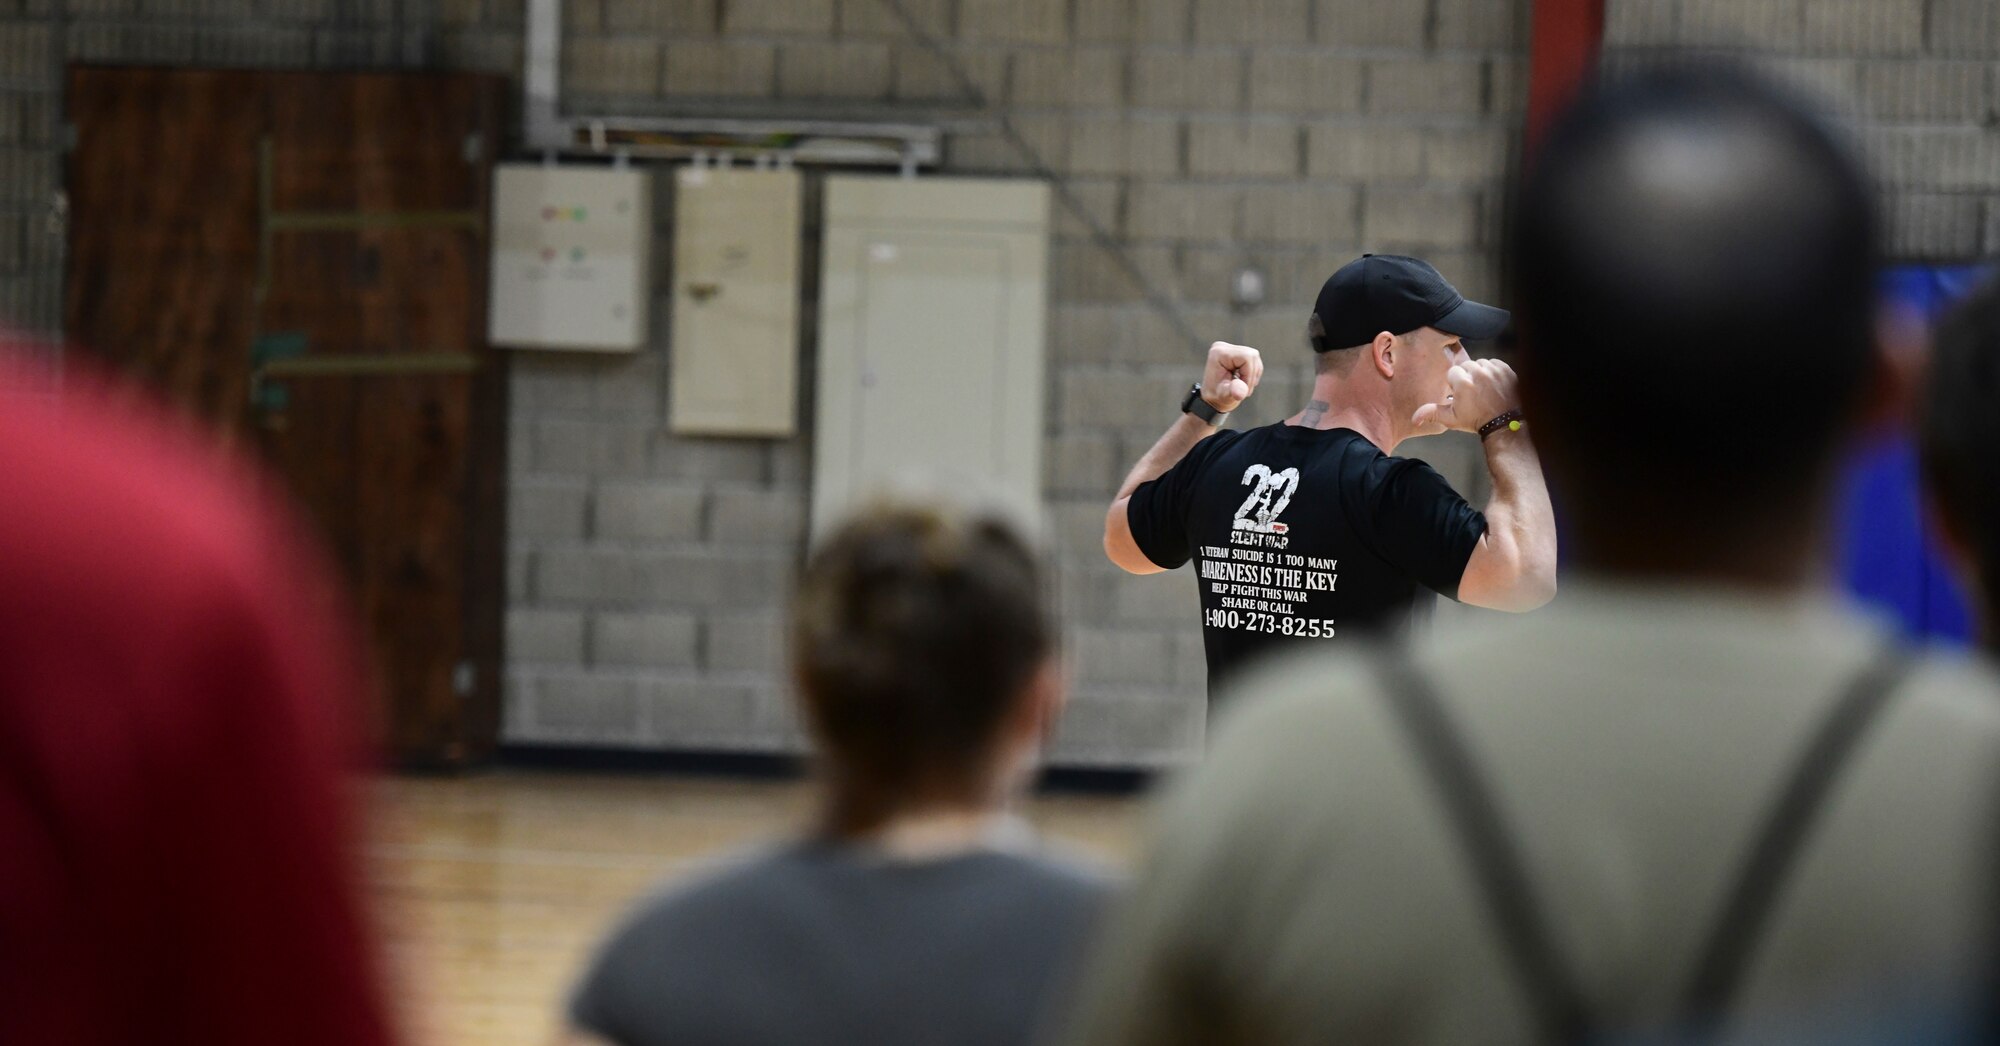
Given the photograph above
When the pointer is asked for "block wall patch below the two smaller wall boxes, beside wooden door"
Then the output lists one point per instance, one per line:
(647, 571)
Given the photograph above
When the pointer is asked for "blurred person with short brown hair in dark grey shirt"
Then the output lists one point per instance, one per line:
(917, 911)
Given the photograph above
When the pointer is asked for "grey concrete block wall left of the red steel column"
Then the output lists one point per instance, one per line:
(647, 575)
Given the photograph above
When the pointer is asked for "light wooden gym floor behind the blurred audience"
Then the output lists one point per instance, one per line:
(493, 889)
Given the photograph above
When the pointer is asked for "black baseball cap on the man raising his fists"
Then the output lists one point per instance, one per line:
(1397, 295)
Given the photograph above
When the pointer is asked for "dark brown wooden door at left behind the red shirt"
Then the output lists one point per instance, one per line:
(301, 261)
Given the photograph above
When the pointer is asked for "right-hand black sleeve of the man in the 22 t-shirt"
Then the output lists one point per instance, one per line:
(1421, 525)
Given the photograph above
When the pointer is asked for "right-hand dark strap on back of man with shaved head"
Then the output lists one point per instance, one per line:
(1751, 903)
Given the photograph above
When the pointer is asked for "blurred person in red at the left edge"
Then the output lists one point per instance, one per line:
(177, 723)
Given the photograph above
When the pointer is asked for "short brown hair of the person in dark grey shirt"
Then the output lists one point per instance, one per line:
(913, 635)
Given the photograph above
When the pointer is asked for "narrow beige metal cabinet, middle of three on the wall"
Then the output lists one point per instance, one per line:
(735, 345)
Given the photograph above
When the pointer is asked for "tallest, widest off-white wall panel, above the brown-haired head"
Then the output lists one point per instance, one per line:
(933, 337)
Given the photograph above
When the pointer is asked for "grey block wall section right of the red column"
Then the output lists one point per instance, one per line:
(1917, 81)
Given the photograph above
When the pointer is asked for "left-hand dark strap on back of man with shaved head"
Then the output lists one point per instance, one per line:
(1561, 1013)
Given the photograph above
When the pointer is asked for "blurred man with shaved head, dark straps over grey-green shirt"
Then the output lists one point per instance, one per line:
(1691, 801)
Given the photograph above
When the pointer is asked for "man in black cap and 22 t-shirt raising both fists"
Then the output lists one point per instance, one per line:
(1309, 531)
